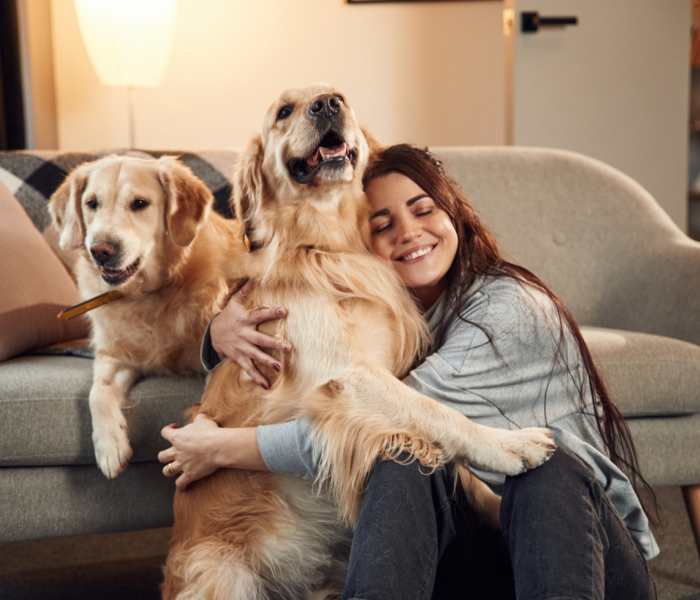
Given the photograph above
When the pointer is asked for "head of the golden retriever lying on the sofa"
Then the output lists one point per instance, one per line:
(128, 214)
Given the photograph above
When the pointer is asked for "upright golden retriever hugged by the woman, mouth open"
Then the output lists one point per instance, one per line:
(355, 330)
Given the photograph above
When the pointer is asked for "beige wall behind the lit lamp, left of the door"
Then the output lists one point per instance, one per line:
(426, 73)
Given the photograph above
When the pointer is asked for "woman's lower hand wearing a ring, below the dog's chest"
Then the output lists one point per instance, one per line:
(194, 452)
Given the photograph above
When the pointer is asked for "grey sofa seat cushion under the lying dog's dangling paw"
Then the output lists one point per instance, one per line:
(45, 415)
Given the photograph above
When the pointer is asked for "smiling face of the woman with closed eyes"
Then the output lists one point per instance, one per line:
(410, 230)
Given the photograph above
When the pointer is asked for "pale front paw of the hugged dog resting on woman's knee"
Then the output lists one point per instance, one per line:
(514, 452)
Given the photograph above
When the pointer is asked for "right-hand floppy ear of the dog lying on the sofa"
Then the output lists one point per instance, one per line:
(187, 200)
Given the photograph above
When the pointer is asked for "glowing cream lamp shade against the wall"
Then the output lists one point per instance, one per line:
(128, 41)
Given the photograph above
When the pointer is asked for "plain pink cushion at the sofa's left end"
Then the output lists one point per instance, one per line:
(35, 286)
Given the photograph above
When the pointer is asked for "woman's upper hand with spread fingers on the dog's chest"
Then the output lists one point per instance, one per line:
(235, 335)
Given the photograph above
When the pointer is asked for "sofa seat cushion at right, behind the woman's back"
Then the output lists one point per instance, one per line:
(646, 375)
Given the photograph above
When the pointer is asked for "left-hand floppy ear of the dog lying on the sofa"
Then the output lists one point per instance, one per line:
(66, 210)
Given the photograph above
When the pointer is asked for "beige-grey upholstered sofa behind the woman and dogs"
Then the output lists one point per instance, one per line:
(629, 276)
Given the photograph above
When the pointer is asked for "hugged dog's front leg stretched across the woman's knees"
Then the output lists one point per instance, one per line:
(368, 413)
